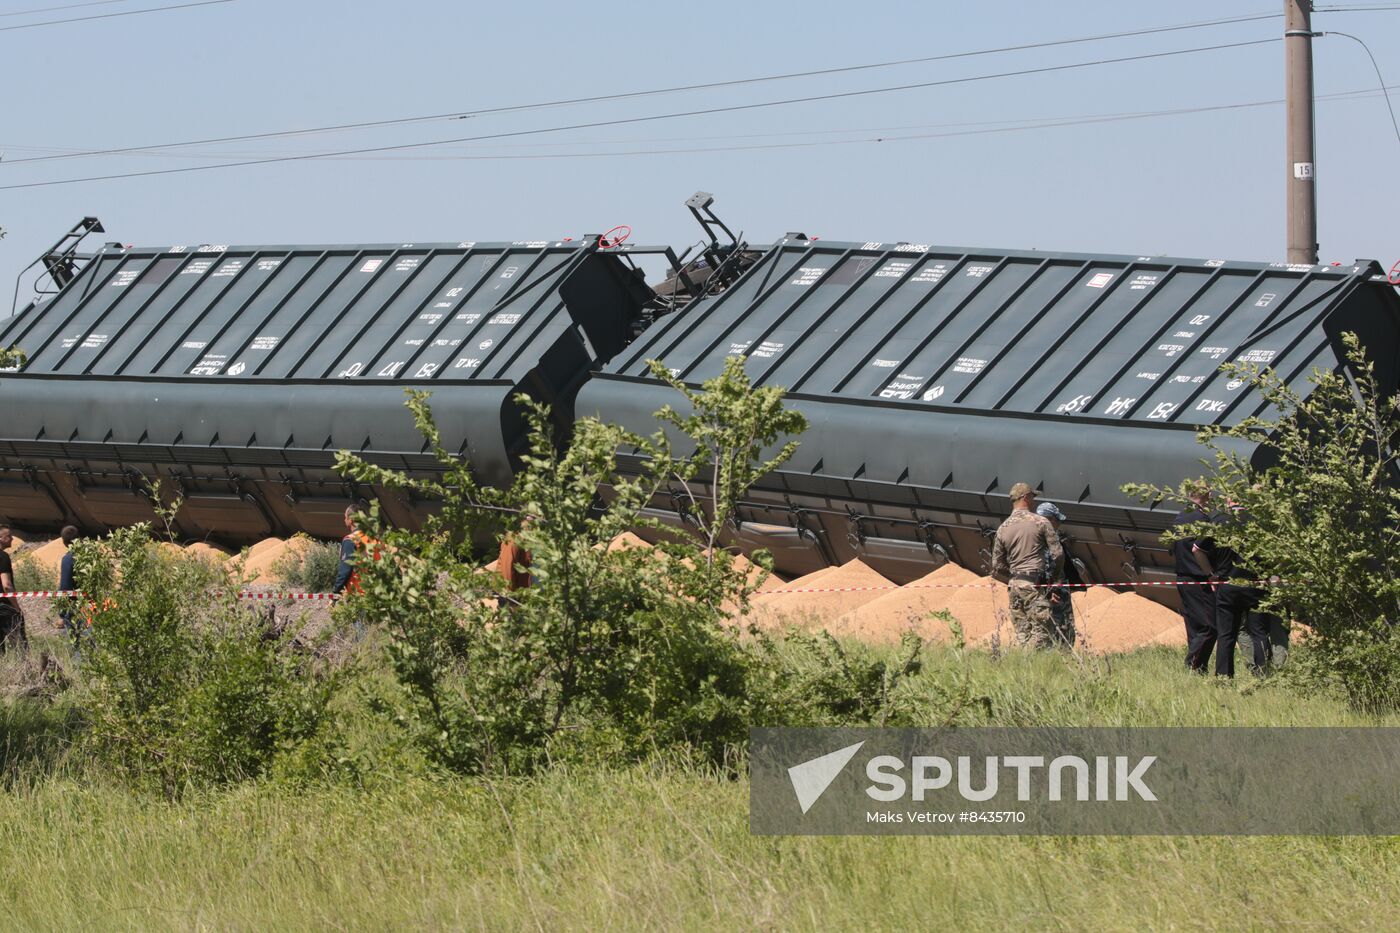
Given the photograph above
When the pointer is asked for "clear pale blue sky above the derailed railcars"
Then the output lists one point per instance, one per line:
(1207, 184)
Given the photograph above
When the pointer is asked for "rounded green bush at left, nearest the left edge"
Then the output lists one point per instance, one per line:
(185, 684)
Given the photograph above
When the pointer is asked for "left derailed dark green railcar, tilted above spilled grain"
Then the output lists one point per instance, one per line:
(236, 373)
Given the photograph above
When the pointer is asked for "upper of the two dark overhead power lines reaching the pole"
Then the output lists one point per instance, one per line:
(625, 96)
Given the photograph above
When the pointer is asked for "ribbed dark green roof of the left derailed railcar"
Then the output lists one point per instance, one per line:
(393, 313)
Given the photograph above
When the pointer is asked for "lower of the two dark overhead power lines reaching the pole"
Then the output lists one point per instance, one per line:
(650, 118)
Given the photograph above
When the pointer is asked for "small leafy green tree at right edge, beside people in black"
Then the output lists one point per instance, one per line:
(1319, 490)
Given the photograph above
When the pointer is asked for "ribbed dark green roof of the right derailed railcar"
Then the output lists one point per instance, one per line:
(1116, 338)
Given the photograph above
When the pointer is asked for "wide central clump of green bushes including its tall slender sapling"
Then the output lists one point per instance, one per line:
(610, 654)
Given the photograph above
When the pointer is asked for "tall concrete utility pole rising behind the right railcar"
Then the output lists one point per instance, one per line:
(1303, 187)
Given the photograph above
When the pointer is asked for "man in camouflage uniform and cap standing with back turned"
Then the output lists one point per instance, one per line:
(1018, 560)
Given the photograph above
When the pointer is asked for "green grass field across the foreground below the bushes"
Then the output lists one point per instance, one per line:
(663, 847)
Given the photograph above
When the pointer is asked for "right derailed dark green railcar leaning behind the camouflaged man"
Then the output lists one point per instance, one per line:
(934, 379)
